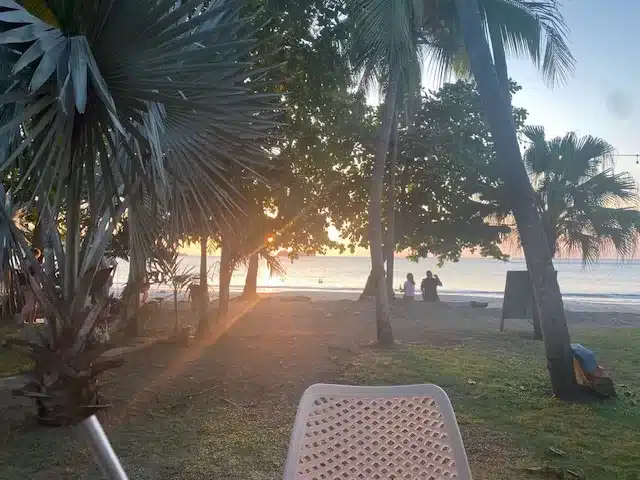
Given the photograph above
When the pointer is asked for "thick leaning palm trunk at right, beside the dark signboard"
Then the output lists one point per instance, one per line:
(539, 263)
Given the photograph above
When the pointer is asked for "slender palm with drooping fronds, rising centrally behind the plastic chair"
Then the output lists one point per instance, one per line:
(385, 51)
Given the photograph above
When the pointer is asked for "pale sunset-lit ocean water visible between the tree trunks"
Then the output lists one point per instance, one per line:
(608, 282)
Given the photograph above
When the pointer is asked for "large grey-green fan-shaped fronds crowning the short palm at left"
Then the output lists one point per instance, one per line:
(144, 90)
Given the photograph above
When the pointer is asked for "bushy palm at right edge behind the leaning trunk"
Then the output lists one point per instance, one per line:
(585, 207)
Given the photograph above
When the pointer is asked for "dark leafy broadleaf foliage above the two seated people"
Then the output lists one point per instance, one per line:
(447, 182)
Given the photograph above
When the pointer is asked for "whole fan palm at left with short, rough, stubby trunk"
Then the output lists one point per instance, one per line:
(114, 100)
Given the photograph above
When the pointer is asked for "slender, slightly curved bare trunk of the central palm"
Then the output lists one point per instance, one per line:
(383, 317)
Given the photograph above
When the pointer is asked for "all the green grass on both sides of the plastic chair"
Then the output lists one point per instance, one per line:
(497, 382)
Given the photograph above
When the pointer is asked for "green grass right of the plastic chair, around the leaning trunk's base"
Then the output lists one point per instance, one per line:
(499, 382)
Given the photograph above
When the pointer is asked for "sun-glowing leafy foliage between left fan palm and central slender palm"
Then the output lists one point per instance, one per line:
(304, 40)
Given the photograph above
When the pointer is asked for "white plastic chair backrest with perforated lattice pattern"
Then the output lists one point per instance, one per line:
(376, 433)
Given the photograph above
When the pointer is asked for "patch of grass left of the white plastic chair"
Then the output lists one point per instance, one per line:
(193, 444)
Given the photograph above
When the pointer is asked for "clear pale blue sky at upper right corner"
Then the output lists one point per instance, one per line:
(603, 97)
